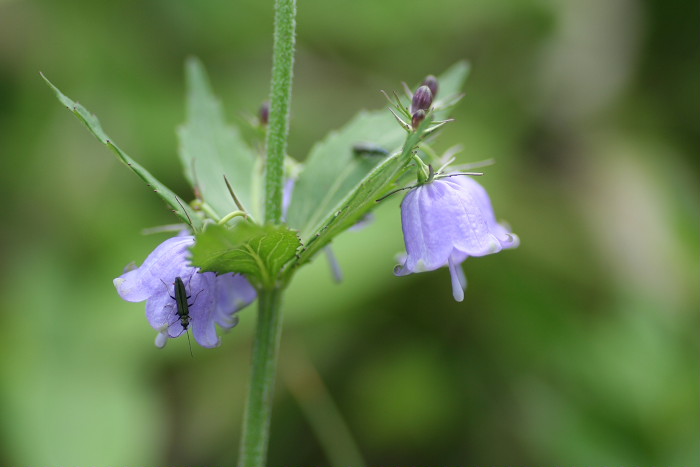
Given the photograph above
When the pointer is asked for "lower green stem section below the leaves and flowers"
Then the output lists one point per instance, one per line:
(256, 419)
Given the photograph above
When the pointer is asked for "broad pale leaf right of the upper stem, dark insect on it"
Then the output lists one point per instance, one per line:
(333, 170)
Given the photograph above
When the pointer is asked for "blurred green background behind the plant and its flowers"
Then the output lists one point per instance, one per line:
(578, 348)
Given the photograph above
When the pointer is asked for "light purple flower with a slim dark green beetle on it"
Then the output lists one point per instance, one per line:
(212, 299)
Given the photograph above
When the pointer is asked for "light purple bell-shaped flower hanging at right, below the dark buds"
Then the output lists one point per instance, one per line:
(446, 221)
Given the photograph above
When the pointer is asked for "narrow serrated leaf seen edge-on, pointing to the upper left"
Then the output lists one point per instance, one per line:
(181, 209)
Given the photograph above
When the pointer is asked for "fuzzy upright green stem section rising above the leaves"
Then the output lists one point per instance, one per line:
(280, 99)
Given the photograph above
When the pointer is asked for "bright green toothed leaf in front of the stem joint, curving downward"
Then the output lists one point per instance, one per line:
(257, 251)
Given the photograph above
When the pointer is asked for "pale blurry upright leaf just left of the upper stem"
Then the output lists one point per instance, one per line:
(210, 149)
